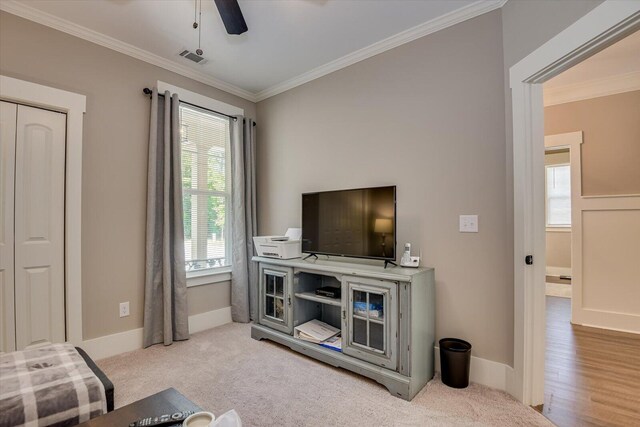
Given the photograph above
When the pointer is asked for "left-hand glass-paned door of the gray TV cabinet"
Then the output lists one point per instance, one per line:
(275, 298)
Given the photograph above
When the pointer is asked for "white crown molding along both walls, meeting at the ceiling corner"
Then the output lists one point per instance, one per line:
(471, 11)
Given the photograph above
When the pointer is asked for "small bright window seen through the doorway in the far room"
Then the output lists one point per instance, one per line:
(558, 194)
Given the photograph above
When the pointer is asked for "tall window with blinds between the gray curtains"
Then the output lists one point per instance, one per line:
(206, 186)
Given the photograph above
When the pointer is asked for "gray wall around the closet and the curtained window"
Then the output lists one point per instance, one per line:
(116, 128)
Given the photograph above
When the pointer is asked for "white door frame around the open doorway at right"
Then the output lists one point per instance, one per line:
(600, 28)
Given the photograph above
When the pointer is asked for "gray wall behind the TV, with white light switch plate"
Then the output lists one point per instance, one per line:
(428, 117)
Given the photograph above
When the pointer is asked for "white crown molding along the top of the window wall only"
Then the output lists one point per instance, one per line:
(22, 10)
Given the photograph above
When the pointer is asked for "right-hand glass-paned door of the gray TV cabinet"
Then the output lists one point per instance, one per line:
(371, 323)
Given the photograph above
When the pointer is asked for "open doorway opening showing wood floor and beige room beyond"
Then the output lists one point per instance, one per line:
(591, 373)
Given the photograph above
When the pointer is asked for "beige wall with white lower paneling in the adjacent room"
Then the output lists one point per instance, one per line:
(610, 154)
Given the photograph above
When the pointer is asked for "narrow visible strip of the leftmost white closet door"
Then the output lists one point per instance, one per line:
(8, 113)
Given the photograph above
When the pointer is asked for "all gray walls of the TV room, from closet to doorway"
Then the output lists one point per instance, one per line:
(428, 116)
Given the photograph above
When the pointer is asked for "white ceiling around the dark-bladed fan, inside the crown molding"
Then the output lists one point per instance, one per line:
(286, 38)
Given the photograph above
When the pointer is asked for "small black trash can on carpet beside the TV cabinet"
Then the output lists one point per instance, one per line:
(455, 359)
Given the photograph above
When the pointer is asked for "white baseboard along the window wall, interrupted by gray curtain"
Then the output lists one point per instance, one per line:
(122, 342)
